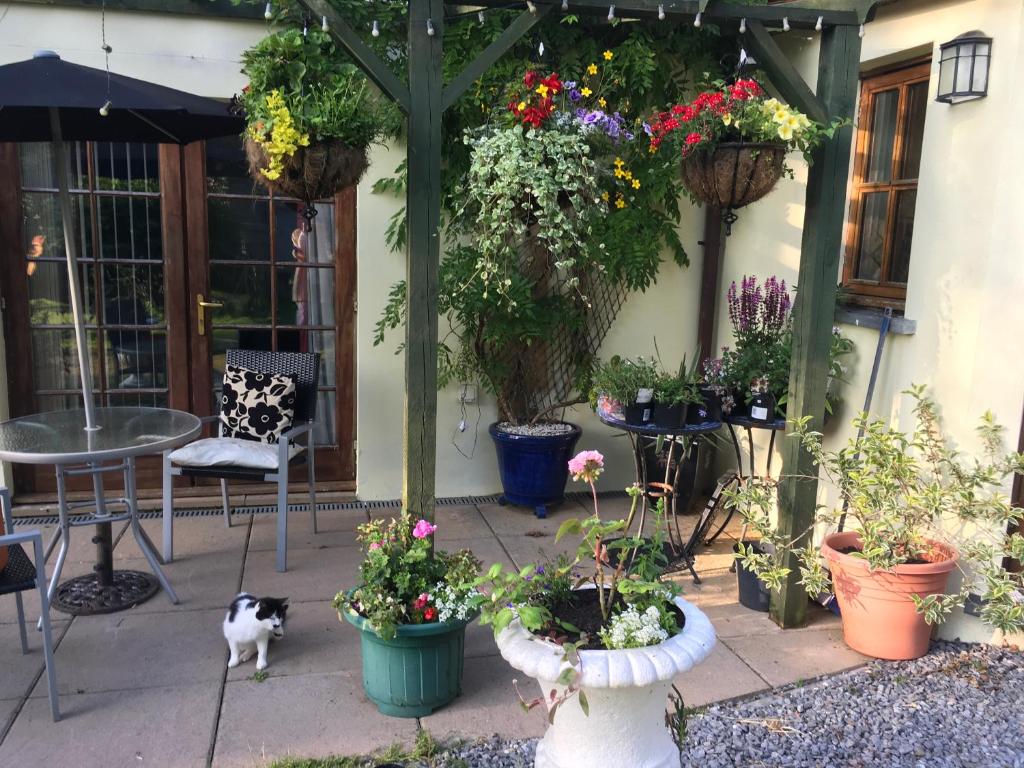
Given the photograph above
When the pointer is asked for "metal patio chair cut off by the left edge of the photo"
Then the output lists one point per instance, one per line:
(22, 575)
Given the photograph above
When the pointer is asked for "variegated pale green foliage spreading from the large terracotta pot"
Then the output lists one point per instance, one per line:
(908, 493)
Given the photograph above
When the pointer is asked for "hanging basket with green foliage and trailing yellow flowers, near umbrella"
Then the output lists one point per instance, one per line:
(311, 116)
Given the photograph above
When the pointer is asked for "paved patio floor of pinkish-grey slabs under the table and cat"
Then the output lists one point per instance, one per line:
(150, 687)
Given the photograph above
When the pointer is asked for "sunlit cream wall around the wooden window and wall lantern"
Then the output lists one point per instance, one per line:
(966, 277)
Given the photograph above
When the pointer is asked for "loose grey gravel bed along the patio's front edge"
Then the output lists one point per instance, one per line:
(960, 707)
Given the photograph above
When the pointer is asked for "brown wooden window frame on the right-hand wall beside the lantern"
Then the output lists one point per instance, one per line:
(882, 293)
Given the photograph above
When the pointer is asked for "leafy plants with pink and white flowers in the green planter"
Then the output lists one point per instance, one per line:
(401, 576)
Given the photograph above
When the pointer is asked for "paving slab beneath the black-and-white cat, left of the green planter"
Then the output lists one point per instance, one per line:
(316, 642)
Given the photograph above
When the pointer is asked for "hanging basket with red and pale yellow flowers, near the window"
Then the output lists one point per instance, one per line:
(734, 141)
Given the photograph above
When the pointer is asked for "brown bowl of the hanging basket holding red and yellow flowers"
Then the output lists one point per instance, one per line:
(735, 175)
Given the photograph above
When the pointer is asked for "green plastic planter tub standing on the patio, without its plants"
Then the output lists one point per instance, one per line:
(417, 672)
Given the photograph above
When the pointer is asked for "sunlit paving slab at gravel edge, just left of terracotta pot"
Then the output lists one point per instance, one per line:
(787, 656)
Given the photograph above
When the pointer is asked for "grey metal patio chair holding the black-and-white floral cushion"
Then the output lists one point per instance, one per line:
(306, 368)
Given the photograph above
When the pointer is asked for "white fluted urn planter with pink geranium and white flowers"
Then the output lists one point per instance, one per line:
(613, 639)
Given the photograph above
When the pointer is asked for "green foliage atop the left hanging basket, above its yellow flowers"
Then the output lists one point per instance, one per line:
(327, 97)
